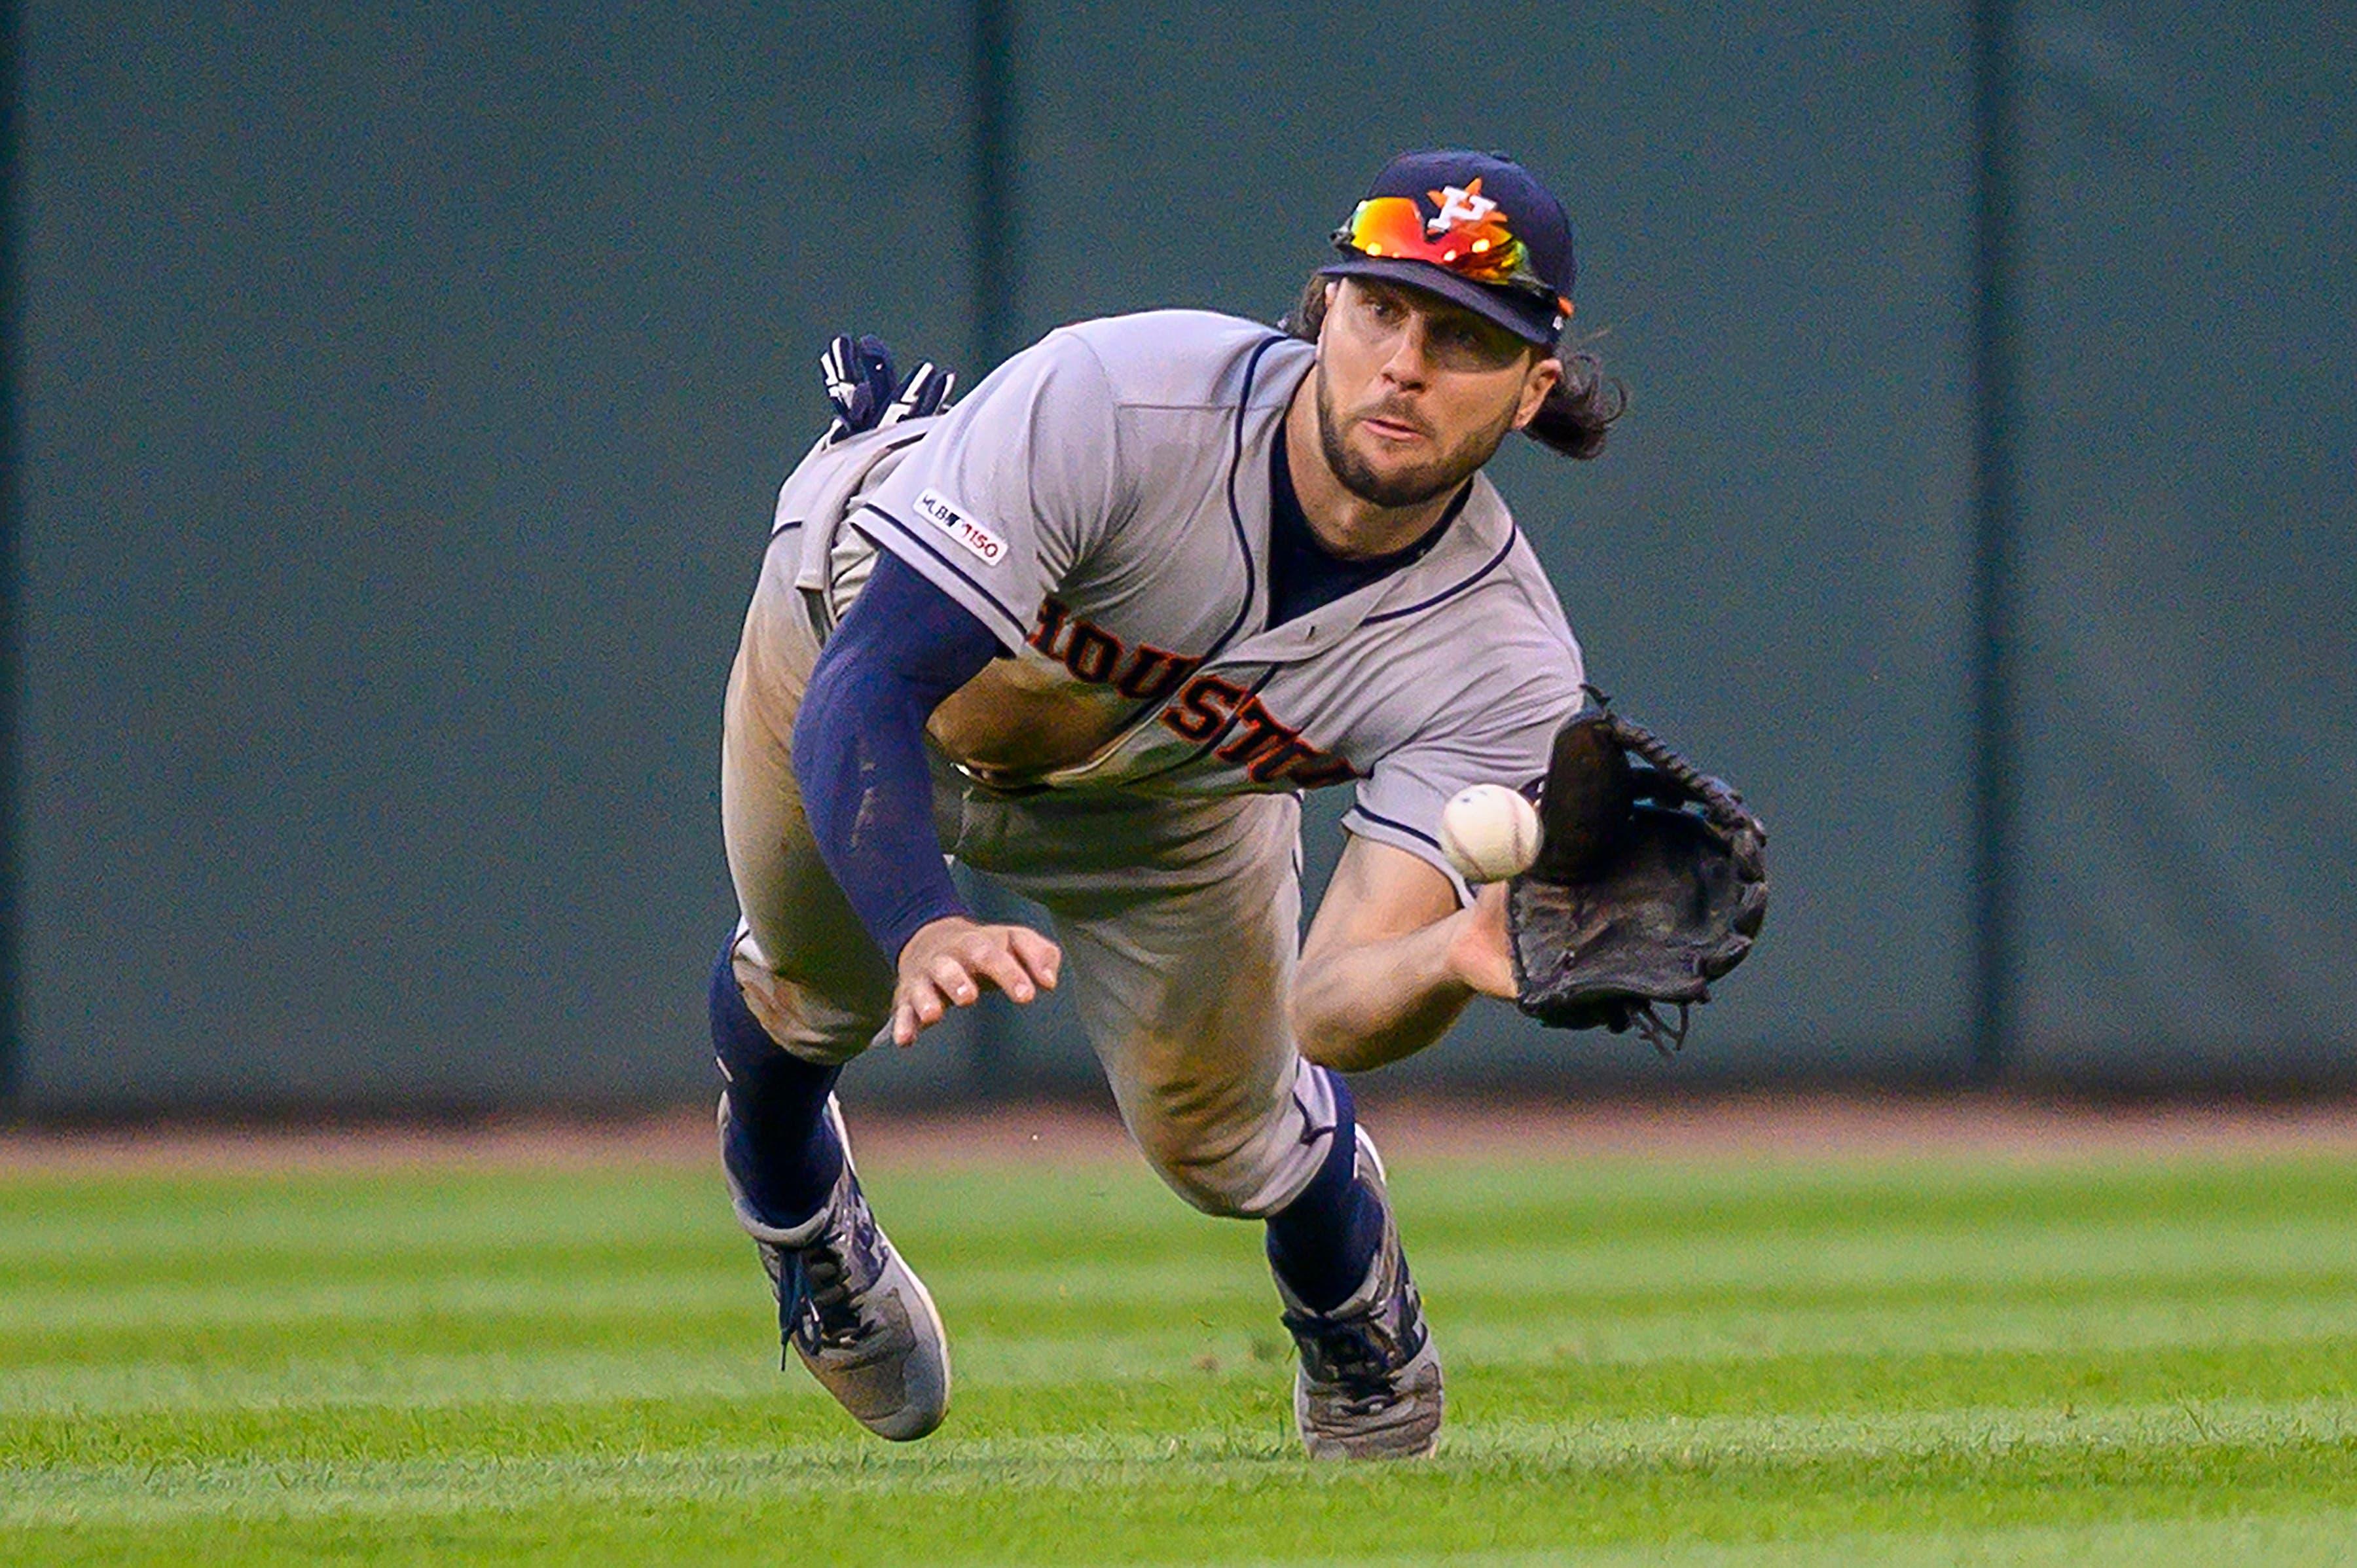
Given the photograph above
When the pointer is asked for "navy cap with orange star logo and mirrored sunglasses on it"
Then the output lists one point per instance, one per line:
(1472, 228)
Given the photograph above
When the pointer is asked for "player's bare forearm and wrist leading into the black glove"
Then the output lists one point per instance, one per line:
(1392, 958)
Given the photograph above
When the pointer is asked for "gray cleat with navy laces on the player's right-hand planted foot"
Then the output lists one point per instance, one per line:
(1371, 1378)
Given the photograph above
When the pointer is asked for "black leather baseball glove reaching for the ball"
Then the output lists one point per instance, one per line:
(1651, 883)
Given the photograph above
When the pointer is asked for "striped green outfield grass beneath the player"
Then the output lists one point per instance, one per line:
(1651, 1362)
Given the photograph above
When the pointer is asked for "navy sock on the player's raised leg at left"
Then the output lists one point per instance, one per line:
(781, 1147)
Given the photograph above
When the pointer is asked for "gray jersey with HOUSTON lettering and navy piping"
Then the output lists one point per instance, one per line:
(1102, 503)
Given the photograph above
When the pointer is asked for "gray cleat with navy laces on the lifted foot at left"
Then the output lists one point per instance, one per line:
(852, 1310)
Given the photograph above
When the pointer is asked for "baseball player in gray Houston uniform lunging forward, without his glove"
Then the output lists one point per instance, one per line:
(1092, 633)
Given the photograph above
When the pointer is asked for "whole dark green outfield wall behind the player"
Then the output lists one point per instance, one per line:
(402, 400)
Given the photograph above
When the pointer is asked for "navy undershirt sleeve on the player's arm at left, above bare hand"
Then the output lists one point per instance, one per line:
(859, 749)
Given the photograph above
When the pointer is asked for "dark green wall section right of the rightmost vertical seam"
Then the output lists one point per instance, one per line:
(2191, 558)
